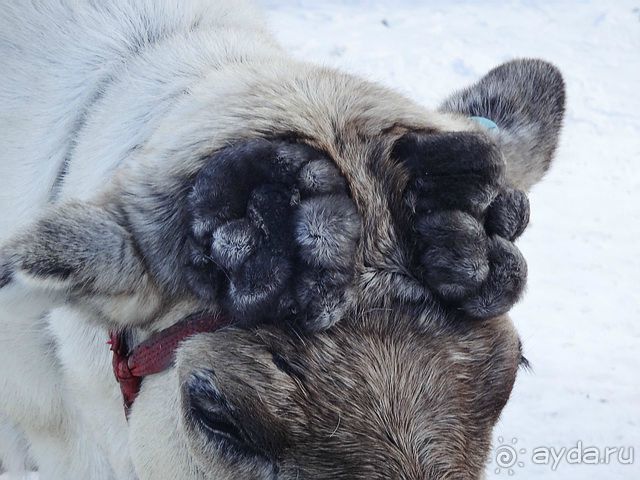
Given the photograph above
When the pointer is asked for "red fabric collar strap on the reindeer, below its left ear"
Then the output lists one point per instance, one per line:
(154, 355)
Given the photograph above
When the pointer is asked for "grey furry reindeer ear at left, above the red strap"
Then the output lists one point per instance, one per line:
(77, 253)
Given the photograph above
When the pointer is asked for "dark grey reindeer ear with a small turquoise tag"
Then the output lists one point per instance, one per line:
(525, 99)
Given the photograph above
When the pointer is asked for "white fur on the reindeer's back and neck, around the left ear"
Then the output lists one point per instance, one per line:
(59, 399)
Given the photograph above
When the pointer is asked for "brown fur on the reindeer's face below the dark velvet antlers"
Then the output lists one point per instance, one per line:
(375, 398)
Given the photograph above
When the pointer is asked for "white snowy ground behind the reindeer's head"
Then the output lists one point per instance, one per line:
(580, 320)
